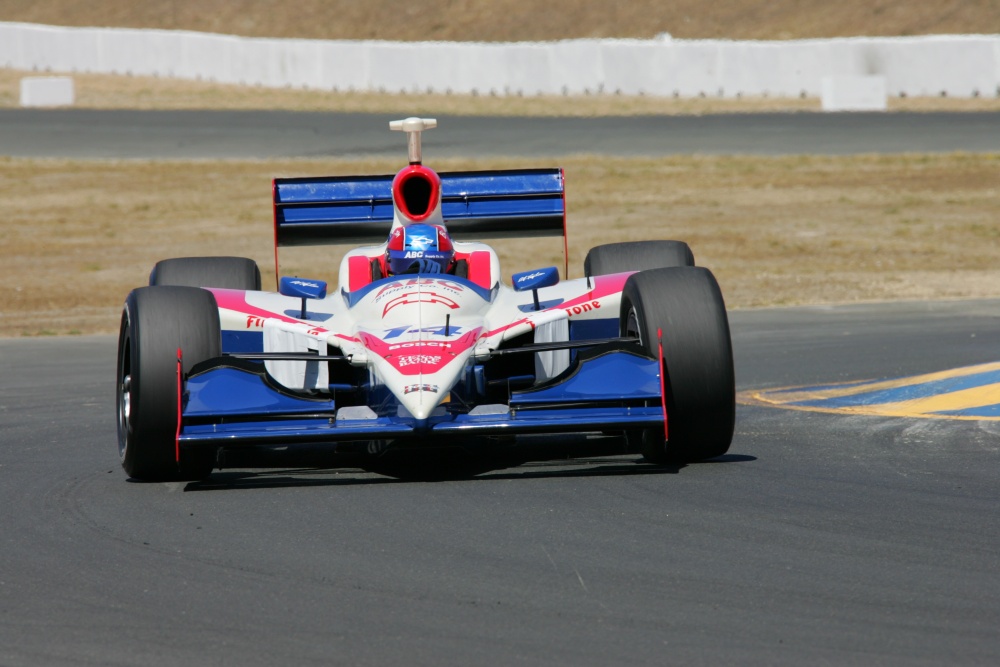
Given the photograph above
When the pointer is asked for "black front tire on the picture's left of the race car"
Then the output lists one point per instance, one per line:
(156, 322)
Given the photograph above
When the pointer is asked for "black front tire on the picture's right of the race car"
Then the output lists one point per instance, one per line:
(682, 308)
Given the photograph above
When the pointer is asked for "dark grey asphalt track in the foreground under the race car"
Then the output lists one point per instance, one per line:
(819, 539)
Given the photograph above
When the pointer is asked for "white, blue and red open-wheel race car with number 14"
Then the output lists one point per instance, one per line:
(422, 346)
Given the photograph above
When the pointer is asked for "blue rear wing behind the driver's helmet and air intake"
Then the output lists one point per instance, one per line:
(475, 205)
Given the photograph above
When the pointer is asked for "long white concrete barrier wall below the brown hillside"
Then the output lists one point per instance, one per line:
(953, 65)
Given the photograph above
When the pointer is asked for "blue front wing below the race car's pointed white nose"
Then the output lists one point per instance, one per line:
(233, 403)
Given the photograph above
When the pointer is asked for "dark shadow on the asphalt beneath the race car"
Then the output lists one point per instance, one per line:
(551, 469)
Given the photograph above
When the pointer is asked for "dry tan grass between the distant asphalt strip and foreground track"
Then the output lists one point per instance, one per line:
(76, 236)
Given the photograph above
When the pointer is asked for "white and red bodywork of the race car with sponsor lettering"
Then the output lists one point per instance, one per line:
(416, 334)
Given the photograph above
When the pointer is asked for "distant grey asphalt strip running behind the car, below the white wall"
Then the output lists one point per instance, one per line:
(78, 133)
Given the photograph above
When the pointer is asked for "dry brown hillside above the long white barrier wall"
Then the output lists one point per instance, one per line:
(524, 20)
